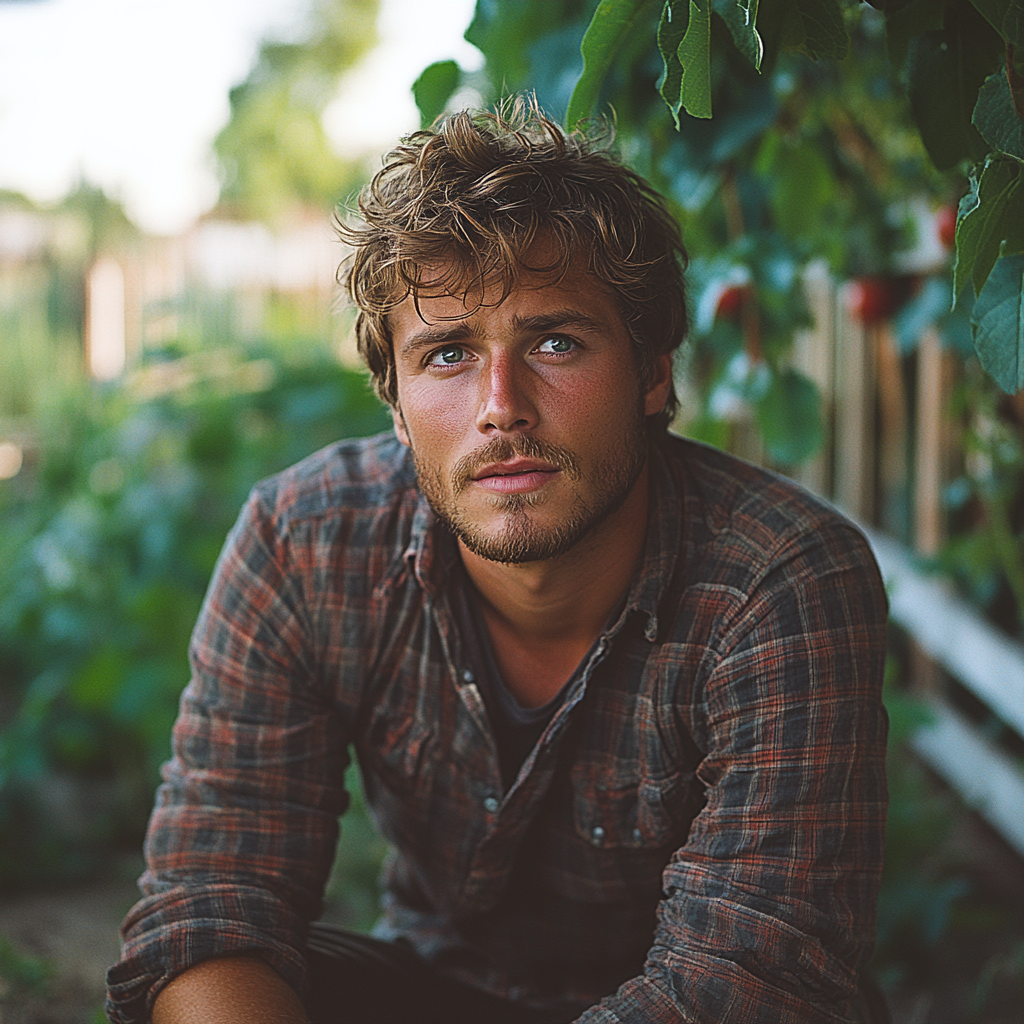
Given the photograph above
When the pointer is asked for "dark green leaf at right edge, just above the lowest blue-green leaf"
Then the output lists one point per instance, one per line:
(983, 223)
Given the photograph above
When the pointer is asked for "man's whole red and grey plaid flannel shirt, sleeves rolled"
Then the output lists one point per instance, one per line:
(701, 825)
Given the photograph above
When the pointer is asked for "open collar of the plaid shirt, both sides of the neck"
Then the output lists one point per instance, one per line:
(431, 559)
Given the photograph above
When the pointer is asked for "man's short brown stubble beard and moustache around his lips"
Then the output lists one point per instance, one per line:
(521, 538)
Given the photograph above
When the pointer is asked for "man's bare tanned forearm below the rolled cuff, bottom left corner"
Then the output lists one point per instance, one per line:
(230, 991)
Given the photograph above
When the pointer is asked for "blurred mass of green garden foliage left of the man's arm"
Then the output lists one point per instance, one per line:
(110, 538)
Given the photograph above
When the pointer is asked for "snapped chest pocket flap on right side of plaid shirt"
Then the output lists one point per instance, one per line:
(644, 815)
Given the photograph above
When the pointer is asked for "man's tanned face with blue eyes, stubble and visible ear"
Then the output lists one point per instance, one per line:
(527, 419)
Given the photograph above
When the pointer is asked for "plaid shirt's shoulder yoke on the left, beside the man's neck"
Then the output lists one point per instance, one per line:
(365, 475)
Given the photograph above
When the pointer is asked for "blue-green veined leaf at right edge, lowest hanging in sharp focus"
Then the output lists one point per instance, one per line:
(999, 324)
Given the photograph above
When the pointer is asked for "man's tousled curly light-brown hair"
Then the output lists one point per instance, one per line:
(474, 194)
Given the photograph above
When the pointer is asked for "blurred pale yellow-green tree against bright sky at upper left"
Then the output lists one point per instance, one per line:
(274, 153)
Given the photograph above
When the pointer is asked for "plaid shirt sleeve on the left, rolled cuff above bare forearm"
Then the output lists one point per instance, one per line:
(242, 838)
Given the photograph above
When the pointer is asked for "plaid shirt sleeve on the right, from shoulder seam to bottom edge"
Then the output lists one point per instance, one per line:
(769, 915)
